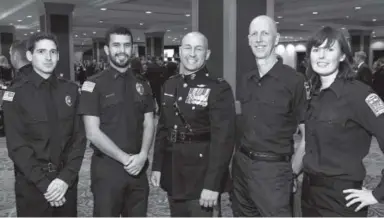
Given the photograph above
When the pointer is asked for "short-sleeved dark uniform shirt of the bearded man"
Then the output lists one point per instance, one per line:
(120, 100)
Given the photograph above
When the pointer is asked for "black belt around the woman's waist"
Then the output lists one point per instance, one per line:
(331, 182)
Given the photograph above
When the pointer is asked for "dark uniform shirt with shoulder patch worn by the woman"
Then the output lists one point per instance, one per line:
(340, 122)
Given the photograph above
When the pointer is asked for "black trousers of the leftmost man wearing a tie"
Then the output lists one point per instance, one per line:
(30, 202)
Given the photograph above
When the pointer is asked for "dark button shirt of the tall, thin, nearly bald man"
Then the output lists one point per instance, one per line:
(272, 108)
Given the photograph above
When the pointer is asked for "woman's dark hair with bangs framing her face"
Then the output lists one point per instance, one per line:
(331, 35)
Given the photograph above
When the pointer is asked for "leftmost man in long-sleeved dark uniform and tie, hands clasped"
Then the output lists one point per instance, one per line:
(45, 138)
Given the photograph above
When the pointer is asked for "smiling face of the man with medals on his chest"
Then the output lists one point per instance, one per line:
(194, 52)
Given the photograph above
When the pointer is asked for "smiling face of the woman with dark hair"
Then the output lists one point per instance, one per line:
(326, 60)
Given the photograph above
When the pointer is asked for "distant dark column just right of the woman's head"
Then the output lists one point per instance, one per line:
(360, 40)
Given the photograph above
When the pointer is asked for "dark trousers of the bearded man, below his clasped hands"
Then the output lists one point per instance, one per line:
(117, 193)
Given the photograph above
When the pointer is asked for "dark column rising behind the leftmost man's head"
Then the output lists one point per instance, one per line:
(56, 18)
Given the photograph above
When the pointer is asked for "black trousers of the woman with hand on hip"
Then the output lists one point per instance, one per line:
(324, 197)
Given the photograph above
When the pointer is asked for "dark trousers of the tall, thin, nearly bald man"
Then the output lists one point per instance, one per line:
(261, 188)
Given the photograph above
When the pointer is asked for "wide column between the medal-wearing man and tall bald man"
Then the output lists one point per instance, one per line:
(225, 23)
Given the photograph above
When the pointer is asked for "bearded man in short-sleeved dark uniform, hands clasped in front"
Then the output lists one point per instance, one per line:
(117, 107)
